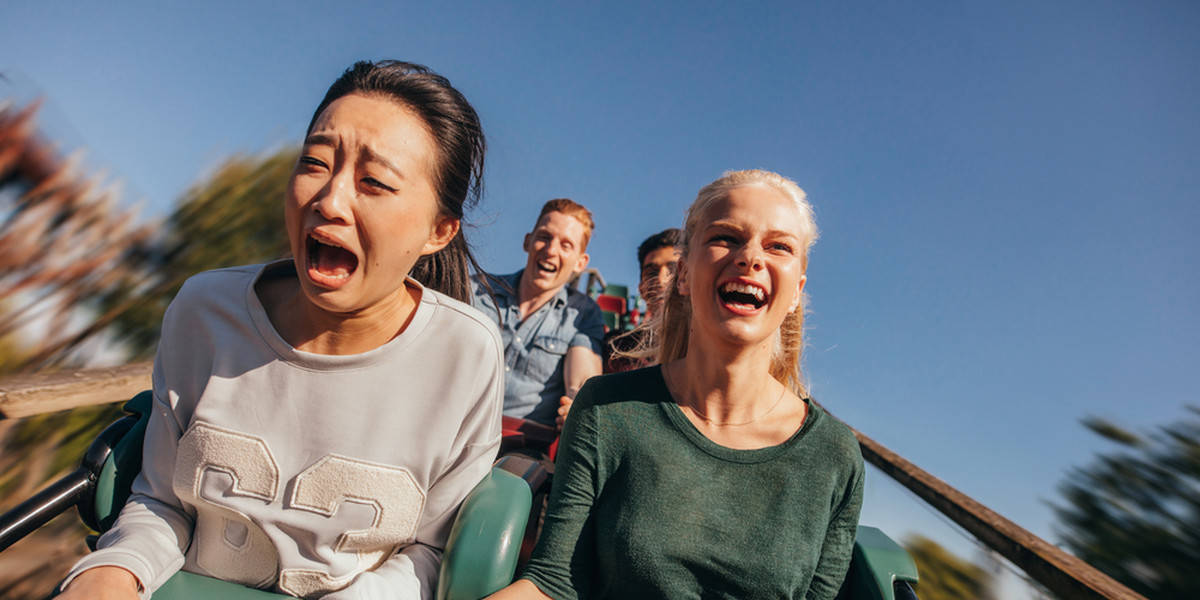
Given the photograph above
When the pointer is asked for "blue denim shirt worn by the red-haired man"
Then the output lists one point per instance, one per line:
(535, 350)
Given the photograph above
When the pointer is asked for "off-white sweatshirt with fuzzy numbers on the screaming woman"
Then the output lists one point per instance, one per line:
(308, 475)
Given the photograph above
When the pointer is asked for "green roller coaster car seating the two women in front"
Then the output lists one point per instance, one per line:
(485, 543)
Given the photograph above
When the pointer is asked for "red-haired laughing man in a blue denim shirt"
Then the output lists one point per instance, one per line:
(553, 334)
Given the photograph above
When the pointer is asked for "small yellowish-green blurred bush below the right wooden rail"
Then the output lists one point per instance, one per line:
(944, 575)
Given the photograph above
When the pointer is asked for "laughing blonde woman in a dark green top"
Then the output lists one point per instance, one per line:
(711, 476)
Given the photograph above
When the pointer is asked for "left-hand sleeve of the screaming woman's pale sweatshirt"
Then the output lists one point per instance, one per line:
(154, 529)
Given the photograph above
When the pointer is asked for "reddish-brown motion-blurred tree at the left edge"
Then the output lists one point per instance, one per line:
(63, 239)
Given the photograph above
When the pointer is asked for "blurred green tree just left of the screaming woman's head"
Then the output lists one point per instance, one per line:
(235, 218)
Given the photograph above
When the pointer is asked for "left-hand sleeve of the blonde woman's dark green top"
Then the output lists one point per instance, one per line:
(565, 561)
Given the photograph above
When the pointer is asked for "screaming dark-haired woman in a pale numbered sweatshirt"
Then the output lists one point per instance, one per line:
(319, 421)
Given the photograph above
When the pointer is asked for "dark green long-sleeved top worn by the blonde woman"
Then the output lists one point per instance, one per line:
(645, 506)
